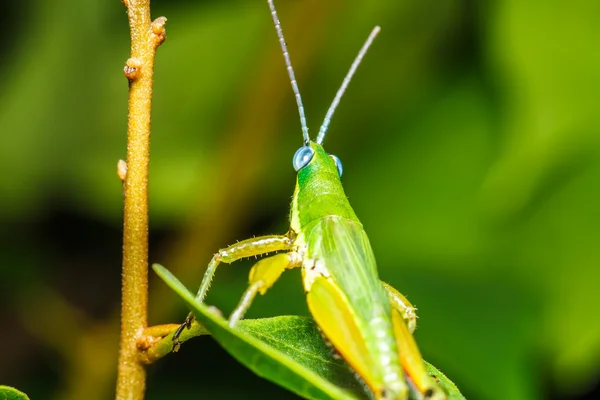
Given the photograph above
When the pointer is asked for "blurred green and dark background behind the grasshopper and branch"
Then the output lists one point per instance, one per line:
(469, 138)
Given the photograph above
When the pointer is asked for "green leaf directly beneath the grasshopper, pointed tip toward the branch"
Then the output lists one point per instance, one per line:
(287, 350)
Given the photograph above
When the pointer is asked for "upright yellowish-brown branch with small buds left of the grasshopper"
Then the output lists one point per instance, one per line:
(146, 36)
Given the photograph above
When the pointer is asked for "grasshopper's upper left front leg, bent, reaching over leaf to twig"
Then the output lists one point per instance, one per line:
(246, 248)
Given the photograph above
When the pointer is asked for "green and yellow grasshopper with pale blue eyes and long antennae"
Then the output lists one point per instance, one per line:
(368, 322)
